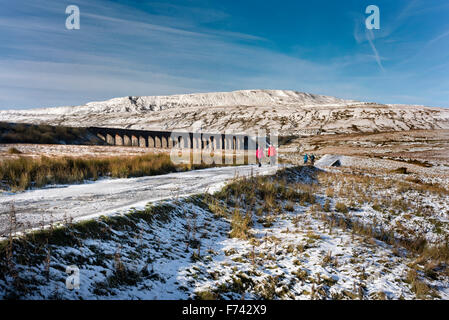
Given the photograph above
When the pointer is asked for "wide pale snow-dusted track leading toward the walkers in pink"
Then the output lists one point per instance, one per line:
(35, 208)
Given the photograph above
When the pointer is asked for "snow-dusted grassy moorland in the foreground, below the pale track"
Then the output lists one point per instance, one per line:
(303, 233)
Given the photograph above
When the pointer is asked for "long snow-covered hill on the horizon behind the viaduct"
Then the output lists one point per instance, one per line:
(289, 112)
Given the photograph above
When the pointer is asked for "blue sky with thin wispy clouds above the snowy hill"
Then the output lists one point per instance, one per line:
(134, 47)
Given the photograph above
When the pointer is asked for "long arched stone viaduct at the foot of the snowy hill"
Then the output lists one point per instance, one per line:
(173, 139)
